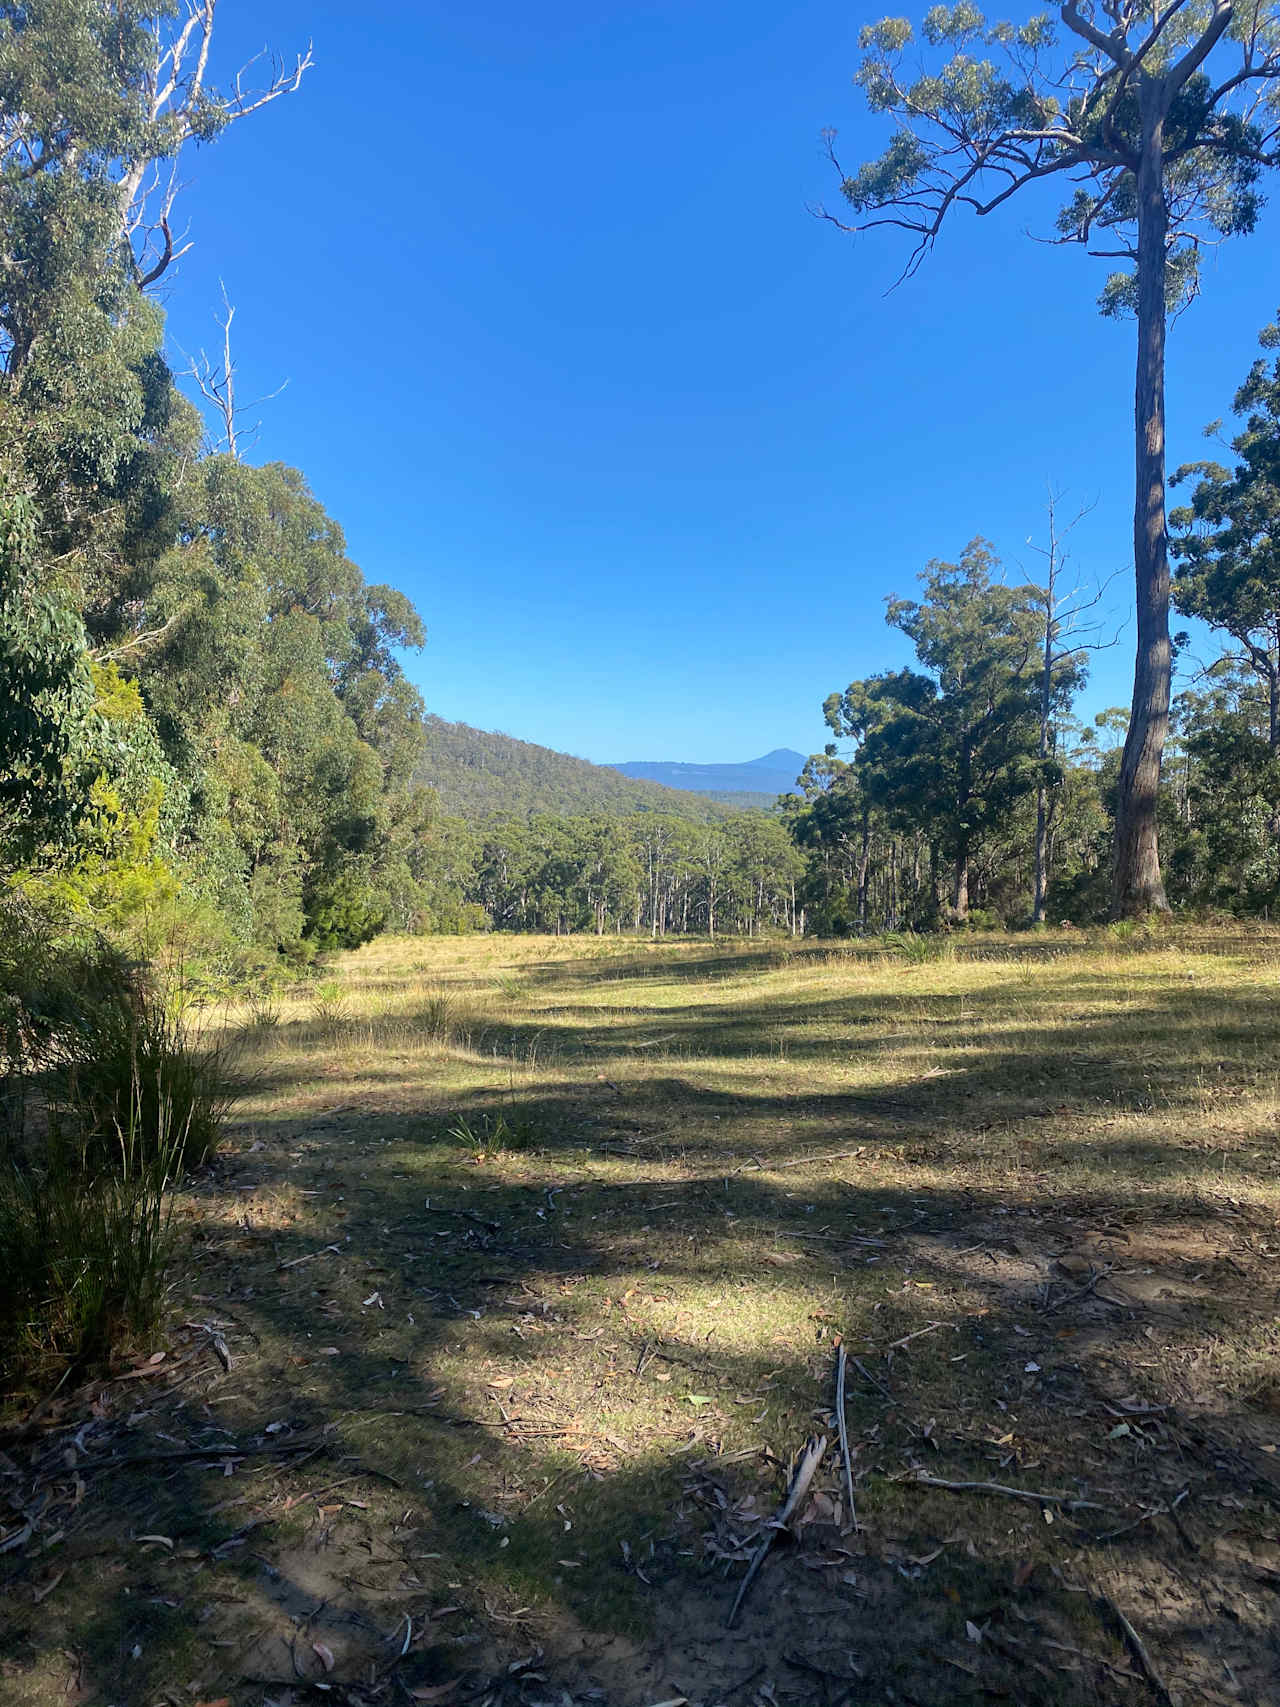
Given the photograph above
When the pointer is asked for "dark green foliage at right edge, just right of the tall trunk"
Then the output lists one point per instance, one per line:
(1228, 539)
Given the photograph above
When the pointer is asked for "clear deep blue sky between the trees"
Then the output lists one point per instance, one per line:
(644, 441)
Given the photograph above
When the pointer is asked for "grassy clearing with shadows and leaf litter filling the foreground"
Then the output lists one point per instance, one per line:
(530, 1261)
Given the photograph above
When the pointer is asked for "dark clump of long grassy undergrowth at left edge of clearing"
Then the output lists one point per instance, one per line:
(105, 1097)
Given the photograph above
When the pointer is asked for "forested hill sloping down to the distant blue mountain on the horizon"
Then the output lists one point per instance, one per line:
(477, 774)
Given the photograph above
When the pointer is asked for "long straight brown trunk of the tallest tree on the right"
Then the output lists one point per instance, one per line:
(1136, 885)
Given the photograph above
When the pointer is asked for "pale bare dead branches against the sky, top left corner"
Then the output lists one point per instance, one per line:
(183, 107)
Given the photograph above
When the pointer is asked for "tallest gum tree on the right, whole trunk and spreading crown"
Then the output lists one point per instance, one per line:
(1158, 120)
